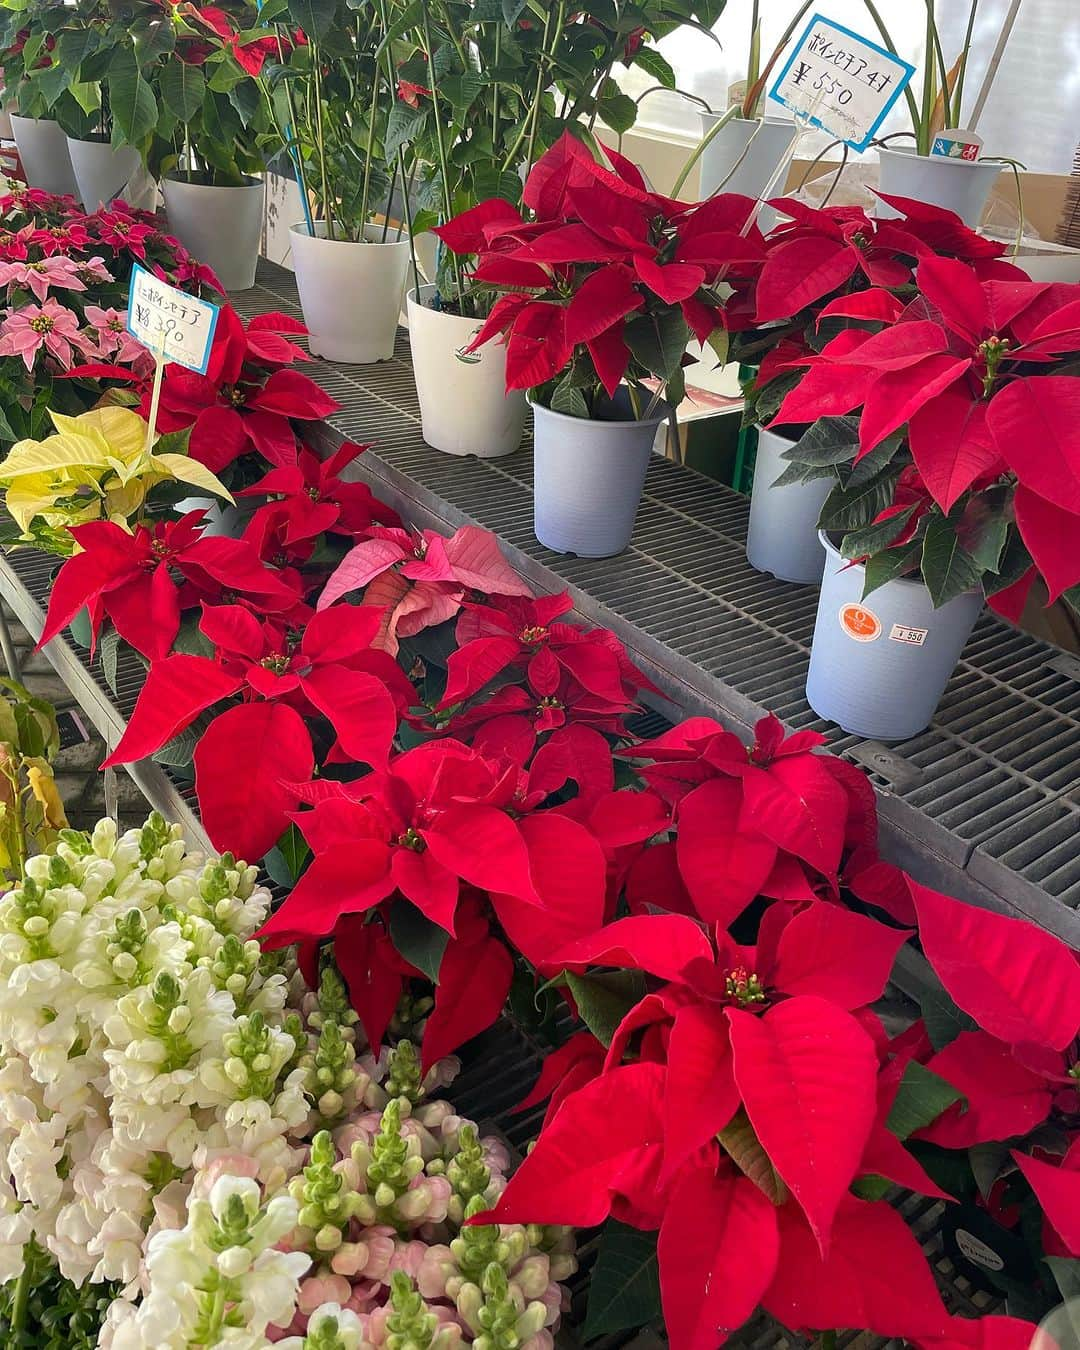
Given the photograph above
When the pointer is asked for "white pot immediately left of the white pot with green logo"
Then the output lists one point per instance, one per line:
(350, 292)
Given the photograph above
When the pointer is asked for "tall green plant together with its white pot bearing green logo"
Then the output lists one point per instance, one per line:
(527, 82)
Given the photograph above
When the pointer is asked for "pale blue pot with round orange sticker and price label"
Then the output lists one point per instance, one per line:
(880, 668)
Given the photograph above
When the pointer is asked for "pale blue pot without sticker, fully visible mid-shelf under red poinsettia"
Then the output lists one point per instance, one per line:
(588, 481)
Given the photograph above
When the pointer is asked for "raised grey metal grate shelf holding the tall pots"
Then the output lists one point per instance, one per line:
(985, 804)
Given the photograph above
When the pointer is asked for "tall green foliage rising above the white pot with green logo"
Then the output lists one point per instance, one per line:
(485, 87)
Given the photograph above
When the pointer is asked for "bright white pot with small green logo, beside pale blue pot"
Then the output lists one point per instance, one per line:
(465, 408)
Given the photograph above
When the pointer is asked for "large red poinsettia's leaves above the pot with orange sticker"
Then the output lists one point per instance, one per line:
(961, 421)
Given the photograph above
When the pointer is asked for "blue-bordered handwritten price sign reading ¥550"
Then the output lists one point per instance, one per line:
(842, 83)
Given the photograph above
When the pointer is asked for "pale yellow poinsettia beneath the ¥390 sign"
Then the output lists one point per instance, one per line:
(98, 466)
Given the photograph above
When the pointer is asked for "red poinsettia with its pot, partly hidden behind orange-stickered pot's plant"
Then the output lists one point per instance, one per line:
(824, 272)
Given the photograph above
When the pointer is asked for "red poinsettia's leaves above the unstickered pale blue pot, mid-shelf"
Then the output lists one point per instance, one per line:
(605, 284)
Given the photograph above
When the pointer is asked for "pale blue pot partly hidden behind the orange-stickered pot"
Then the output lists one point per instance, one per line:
(782, 538)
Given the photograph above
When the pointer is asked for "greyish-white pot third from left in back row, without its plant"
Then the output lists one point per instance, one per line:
(221, 227)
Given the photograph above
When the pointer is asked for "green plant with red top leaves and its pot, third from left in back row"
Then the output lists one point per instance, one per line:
(206, 133)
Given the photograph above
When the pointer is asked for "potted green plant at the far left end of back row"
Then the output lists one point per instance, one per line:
(38, 86)
